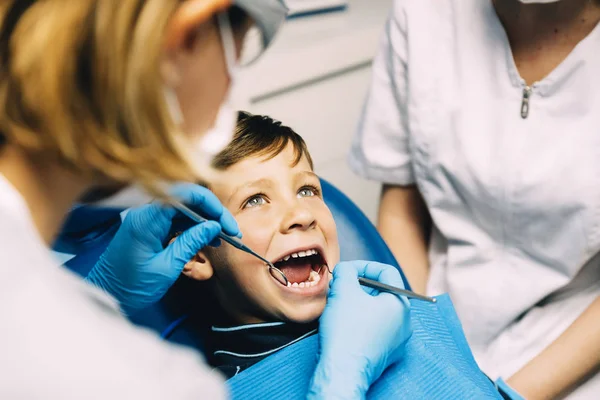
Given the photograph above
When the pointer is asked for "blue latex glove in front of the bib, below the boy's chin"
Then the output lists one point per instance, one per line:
(361, 331)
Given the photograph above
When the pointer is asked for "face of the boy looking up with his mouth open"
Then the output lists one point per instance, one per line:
(281, 212)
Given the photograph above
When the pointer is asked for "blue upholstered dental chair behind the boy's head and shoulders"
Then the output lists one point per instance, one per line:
(88, 230)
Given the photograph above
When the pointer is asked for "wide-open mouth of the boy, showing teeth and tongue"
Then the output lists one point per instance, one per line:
(302, 268)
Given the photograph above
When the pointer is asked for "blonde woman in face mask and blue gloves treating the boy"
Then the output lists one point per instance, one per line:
(97, 95)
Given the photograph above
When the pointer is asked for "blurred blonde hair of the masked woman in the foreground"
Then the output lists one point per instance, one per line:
(80, 82)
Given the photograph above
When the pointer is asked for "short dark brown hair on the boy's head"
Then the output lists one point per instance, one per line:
(259, 135)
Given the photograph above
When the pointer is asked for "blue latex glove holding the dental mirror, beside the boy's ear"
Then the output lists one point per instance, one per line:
(137, 269)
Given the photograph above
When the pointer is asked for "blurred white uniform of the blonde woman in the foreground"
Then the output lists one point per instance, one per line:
(63, 339)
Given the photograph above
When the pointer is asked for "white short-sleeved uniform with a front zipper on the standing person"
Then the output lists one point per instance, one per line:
(515, 201)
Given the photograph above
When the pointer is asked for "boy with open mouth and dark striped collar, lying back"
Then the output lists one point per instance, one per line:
(265, 178)
